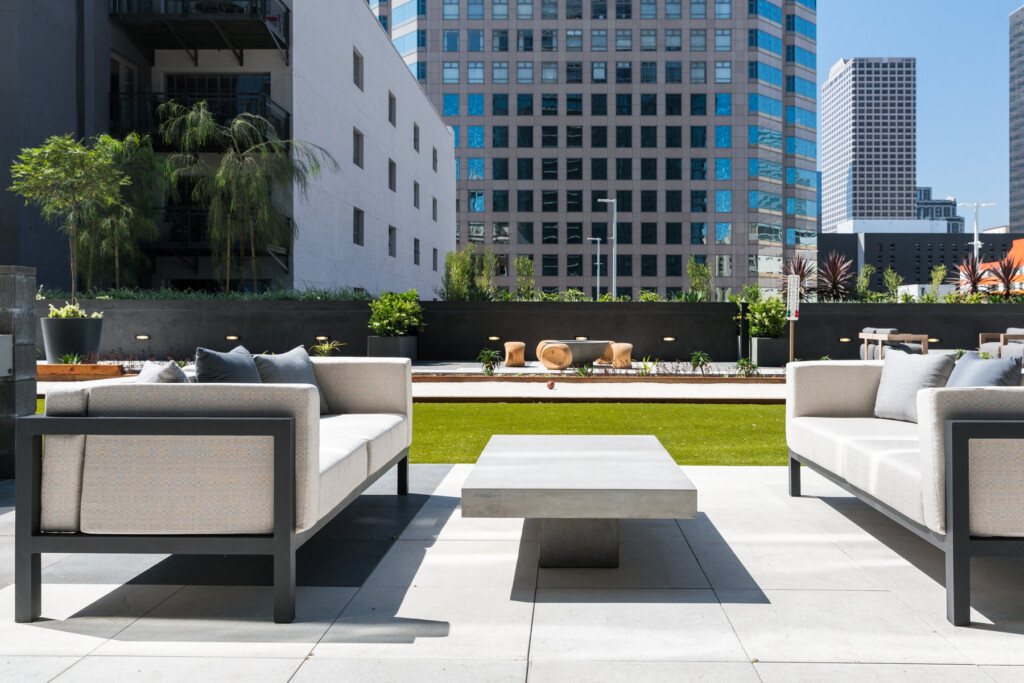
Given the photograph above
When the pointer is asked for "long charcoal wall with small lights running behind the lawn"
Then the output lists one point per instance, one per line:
(459, 331)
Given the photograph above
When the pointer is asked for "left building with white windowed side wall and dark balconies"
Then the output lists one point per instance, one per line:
(325, 73)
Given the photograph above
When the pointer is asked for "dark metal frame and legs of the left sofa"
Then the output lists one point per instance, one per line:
(282, 544)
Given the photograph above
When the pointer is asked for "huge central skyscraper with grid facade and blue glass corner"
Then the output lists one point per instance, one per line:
(697, 117)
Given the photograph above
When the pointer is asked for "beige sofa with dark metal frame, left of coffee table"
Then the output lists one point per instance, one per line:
(205, 468)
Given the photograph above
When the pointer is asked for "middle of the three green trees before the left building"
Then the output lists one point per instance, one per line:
(119, 230)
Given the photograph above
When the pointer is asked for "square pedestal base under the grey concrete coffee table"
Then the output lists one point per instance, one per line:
(579, 543)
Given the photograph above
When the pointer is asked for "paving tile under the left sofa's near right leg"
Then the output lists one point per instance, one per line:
(230, 621)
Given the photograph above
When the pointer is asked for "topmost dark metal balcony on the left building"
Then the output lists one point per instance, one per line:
(194, 25)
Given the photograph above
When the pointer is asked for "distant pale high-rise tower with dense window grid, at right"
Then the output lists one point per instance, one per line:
(869, 142)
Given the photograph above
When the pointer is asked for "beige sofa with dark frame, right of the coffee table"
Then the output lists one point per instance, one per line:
(956, 479)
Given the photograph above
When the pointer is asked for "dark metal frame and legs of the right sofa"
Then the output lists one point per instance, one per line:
(957, 543)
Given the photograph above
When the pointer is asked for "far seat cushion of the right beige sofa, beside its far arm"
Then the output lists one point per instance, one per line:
(825, 441)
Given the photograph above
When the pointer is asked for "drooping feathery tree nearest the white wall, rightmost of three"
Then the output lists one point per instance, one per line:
(238, 169)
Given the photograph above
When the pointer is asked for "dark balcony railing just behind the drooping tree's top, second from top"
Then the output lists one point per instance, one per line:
(139, 112)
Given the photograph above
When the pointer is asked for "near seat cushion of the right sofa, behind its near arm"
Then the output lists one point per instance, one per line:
(890, 472)
